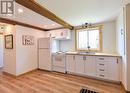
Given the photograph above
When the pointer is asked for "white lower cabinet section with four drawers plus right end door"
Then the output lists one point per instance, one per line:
(108, 68)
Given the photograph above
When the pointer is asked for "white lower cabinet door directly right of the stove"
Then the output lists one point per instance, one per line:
(70, 63)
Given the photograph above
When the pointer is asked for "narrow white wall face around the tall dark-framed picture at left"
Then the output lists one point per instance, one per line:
(9, 59)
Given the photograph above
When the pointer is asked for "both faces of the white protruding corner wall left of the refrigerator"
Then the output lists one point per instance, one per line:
(21, 58)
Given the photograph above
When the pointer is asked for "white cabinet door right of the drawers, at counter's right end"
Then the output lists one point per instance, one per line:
(113, 69)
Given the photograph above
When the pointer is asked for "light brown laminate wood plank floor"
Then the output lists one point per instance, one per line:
(51, 82)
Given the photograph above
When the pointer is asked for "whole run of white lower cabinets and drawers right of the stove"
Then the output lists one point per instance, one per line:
(100, 67)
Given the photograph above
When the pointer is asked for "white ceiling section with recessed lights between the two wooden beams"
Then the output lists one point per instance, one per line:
(30, 17)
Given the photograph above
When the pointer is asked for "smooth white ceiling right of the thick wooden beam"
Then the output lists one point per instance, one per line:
(78, 12)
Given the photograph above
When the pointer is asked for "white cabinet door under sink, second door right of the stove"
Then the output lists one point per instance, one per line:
(80, 62)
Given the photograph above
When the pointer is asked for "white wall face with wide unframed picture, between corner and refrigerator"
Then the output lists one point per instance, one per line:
(26, 55)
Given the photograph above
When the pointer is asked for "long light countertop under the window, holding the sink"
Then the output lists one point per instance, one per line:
(96, 54)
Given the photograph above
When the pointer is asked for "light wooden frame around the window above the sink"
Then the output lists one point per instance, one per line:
(99, 27)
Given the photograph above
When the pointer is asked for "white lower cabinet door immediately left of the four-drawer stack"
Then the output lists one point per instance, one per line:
(90, 66)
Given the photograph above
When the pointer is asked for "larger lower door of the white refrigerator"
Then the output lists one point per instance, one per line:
(44, 59)
